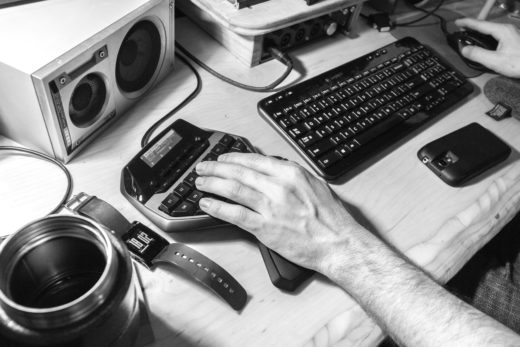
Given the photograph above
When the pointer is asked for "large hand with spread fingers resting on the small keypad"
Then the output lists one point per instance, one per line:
(283, 205)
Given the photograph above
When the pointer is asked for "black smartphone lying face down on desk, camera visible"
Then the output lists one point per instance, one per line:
(463, 154)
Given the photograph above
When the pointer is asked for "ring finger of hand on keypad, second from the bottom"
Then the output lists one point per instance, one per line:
(232, 190)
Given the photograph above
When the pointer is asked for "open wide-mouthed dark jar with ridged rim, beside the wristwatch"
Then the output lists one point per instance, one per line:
(66, 281)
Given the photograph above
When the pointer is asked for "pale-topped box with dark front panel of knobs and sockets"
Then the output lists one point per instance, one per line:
(248, 33)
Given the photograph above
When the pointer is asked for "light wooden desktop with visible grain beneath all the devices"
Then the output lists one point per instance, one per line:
(438, 227)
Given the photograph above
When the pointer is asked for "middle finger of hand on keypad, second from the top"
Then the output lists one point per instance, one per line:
(233, 171)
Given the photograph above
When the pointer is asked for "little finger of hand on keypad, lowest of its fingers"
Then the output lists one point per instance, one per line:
(235, 214)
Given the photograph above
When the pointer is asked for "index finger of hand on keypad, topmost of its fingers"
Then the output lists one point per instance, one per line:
(267, 165)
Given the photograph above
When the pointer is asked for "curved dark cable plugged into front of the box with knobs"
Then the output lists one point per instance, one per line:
(275, 53)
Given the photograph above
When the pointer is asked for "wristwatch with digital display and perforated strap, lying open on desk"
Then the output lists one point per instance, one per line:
(151, 249)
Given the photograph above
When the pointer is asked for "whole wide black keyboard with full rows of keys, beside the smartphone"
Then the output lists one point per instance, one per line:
(341, 118)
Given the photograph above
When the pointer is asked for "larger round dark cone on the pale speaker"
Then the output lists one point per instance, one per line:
(138, 57)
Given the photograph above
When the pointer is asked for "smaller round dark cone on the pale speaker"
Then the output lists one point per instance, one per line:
(87, 100)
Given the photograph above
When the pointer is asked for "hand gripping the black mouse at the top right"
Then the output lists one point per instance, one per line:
(506, 59)
